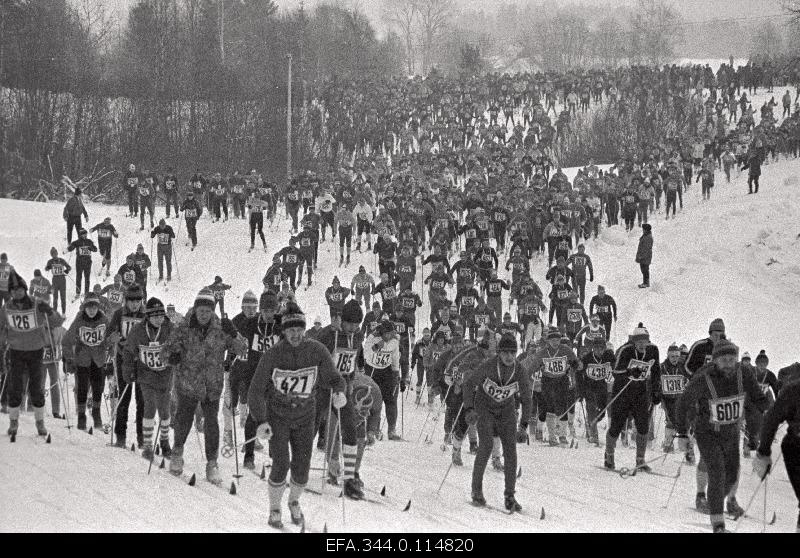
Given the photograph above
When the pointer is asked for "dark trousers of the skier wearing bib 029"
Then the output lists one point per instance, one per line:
(504, 425)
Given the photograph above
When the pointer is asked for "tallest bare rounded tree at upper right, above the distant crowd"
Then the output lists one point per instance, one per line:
(656, 29)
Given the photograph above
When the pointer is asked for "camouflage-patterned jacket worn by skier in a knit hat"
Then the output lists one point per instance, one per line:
(198, 357)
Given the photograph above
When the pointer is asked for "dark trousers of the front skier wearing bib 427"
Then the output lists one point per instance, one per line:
(296, 437)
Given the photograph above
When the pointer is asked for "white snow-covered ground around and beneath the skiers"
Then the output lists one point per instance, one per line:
(734, 257)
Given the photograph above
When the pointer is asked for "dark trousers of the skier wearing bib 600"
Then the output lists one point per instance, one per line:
(721, 456)
